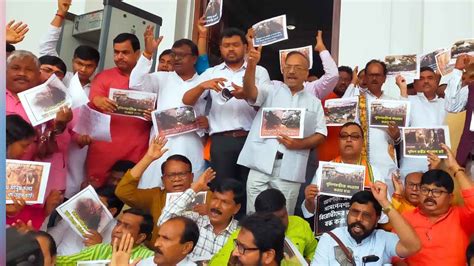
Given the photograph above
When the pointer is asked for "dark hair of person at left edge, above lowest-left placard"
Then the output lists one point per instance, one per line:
(18, 129)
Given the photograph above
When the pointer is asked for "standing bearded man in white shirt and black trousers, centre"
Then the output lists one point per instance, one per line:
(229, 120)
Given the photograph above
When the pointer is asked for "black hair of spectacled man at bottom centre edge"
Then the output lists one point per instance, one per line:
(268, 232)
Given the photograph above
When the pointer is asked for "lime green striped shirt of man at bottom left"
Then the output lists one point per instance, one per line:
(100, 252)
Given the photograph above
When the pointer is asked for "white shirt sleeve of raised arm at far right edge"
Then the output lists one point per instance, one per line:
(455, 95)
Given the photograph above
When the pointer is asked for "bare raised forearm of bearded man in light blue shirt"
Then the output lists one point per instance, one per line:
(409, 242)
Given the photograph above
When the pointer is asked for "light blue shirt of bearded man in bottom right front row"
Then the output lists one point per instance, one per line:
(380, 243)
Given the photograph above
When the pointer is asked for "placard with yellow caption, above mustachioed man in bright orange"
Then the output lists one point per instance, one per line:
(418, 142)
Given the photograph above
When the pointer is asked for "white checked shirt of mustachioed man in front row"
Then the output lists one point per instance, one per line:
(209, 243)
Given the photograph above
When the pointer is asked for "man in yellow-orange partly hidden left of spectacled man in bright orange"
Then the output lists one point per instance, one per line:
(406, 198)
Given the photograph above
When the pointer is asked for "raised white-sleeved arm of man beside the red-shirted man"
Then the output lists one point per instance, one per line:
(140, 78)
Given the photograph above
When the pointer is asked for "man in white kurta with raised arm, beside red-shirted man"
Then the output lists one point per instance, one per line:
(170, 88)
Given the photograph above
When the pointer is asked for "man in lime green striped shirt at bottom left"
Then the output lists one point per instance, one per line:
(135, 222)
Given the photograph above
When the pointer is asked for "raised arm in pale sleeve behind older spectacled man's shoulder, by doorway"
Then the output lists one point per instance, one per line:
(325, 85)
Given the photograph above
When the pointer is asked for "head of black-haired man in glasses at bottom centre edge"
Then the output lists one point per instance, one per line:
(260, 240)
